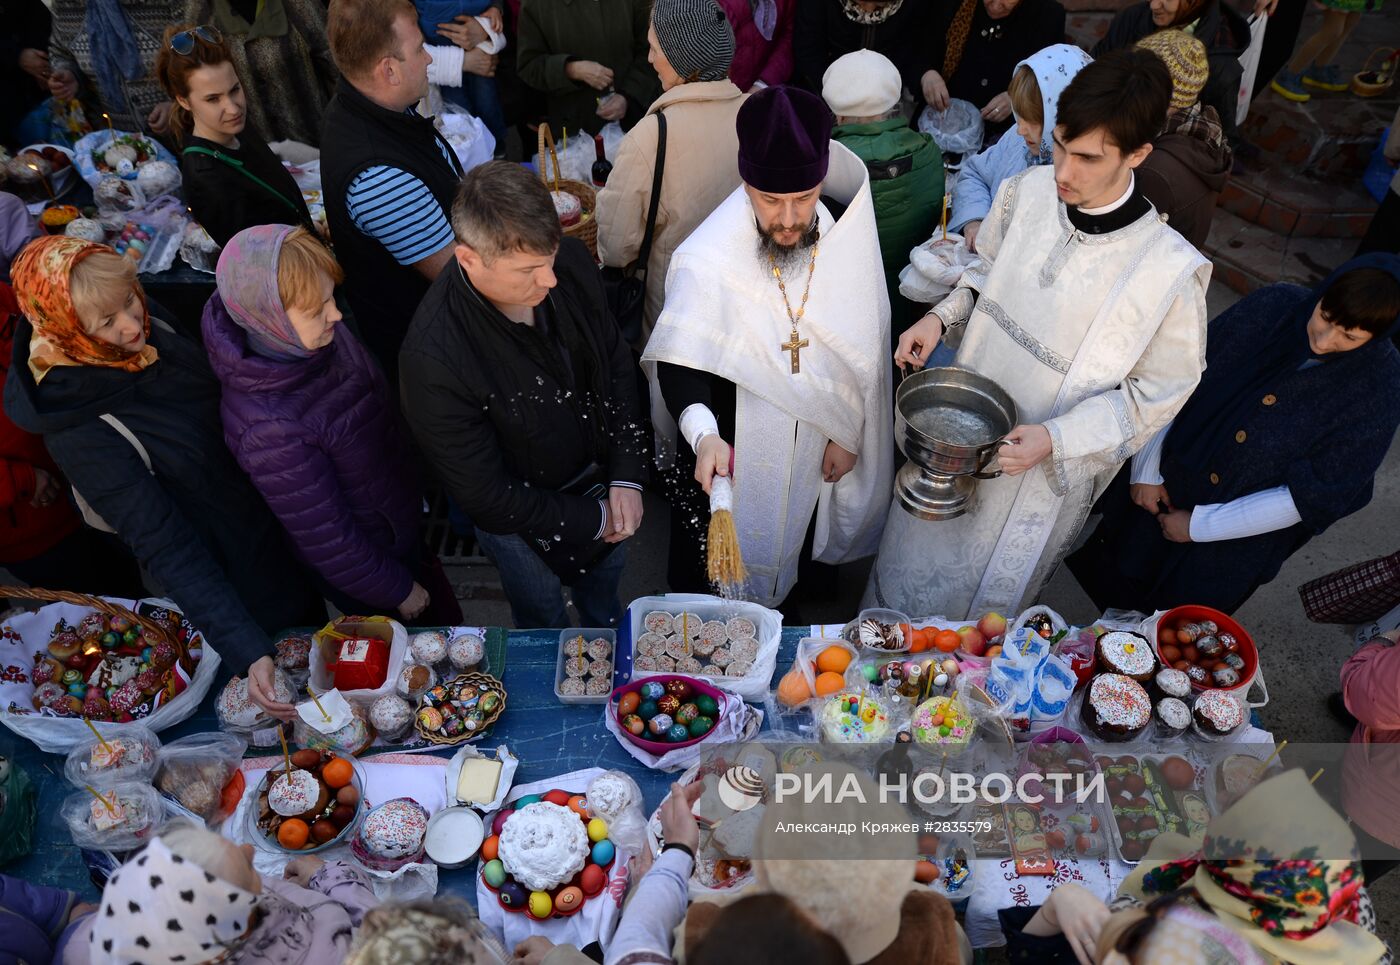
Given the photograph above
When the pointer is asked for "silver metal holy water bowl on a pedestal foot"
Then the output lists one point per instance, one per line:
(950, 424)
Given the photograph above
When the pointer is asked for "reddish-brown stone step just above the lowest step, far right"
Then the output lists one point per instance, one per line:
(1289, 204)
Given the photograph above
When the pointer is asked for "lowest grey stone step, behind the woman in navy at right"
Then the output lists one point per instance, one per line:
(1249, 256)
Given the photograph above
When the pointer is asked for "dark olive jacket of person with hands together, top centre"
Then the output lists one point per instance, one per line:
(612, 33)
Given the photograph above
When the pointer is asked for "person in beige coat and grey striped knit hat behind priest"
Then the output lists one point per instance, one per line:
(692, 47)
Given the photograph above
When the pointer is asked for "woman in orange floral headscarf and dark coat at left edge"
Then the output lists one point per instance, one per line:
(129, 411)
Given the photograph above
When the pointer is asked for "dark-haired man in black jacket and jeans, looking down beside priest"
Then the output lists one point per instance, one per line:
(521, 394)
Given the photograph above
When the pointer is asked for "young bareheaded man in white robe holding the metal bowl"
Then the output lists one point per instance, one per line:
(1090, 310)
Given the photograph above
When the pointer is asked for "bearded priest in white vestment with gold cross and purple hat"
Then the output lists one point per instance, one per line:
(769, 342)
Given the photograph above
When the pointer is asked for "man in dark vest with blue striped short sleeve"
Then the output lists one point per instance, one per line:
(387, 174)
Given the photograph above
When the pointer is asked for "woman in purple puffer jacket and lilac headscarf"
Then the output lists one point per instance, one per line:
(309, 417)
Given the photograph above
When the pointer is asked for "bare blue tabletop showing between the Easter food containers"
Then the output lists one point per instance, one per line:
(547, 736)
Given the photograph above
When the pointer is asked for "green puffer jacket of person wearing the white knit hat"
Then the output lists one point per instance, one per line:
(908, 205)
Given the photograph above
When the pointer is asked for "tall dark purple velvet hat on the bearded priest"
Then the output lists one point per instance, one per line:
(785, 141)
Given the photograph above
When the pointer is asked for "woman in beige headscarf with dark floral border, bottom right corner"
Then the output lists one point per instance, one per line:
(1276, 882)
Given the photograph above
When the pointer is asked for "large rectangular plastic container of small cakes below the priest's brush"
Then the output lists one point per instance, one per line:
(731, 645)
